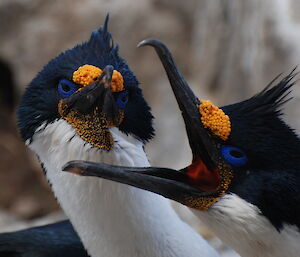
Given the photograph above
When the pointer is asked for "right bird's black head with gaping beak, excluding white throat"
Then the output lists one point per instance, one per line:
(243, 148)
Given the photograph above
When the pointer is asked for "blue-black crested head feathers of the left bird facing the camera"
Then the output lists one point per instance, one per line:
(39, 102)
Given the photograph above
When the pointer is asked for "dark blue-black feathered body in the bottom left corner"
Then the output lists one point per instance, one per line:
(54, 240)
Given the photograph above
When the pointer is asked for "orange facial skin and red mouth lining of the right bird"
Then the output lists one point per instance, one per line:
(219, 179)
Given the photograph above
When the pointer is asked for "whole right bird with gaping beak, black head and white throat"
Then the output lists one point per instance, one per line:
(244, 179)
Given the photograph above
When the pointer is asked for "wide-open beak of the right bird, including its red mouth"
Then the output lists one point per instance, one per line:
(200, 184)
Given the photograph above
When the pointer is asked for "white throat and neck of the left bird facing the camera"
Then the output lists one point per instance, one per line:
(112, 219)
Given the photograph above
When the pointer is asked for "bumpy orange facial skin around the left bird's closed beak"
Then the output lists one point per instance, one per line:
(93, 127)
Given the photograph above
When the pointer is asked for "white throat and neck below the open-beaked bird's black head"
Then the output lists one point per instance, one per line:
(241, 225)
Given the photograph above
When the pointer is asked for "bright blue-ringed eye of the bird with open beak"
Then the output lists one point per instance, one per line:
(234, 156)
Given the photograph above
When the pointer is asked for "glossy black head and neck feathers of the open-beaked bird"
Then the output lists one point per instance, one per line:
(271, 179)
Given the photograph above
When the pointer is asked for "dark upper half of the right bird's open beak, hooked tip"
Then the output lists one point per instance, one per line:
(201, 143)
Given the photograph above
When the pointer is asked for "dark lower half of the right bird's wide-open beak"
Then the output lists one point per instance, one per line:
(172, 184)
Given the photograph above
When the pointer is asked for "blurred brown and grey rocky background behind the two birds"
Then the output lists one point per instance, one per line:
(228, 50)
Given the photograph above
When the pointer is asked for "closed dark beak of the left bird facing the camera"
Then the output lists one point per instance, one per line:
(96, 95)
